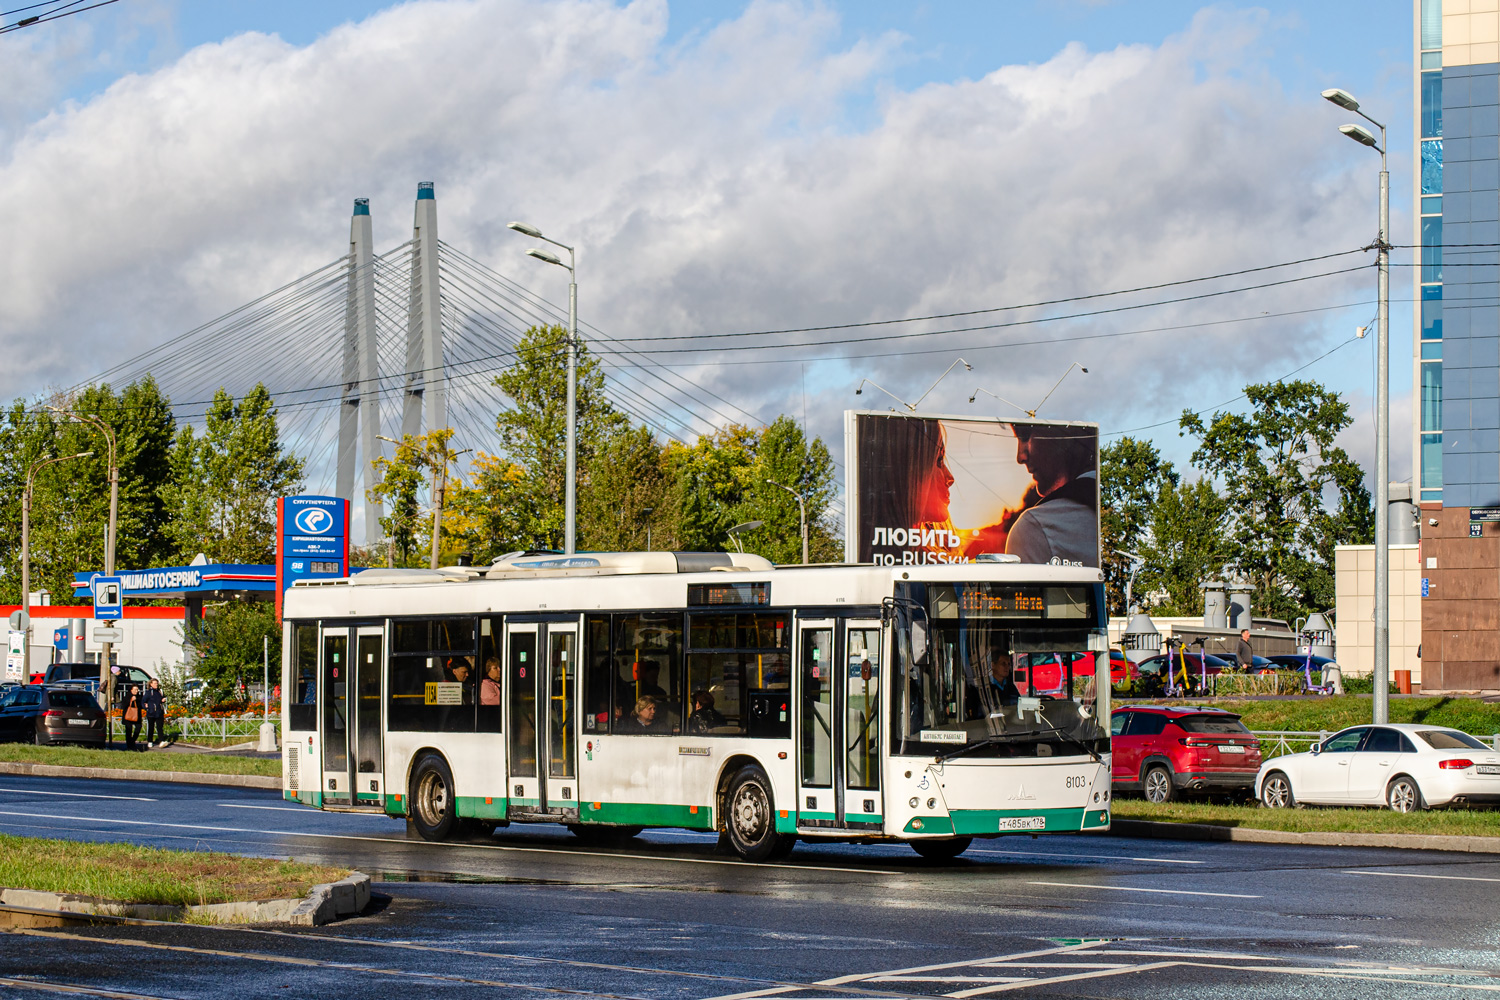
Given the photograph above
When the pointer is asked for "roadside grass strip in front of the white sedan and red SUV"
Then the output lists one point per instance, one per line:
(1316, 819)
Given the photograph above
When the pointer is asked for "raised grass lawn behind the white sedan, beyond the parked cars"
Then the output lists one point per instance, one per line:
(1310, 716)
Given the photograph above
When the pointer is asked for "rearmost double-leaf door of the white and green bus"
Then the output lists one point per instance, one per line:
(350, 698)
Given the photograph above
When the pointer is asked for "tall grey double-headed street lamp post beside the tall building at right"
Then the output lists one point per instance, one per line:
(1382, 671)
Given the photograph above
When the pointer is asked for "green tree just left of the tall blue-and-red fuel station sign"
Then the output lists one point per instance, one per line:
(224, 485)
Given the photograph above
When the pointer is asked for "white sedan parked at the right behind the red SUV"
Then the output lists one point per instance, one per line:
(1405, 767)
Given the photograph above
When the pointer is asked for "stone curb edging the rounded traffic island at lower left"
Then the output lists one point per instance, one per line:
(323, 905)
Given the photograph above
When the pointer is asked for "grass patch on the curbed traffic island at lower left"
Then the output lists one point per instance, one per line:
(151, 875)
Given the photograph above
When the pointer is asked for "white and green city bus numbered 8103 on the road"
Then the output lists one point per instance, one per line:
(713, 692)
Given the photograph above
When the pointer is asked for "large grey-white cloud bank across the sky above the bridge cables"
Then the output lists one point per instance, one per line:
(712, 187)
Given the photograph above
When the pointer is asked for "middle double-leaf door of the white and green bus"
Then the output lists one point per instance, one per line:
(542, 663)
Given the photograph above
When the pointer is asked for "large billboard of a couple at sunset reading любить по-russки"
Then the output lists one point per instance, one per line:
(947, 490)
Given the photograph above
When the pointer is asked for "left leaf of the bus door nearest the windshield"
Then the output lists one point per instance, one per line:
(817, 723)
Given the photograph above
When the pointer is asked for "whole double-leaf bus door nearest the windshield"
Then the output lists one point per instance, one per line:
(839, 725)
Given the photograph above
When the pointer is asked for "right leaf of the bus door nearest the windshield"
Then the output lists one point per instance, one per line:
(859, 704)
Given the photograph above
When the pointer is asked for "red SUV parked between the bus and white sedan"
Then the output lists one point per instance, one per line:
(1169, 752)
